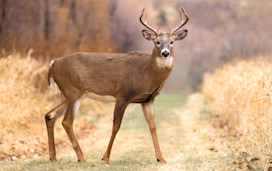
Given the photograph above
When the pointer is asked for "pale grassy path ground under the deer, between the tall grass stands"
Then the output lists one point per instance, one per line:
(187, 138)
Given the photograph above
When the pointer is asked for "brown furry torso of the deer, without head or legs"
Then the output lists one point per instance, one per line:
(103, 74)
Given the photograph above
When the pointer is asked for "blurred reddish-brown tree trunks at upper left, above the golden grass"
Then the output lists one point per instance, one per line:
(55, 27)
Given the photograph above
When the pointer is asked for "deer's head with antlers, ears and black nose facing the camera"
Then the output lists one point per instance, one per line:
(164, 42)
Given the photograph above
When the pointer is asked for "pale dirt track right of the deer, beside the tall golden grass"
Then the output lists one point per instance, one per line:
(203, 147)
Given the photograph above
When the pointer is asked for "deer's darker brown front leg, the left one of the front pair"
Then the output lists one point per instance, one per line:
(120, 107)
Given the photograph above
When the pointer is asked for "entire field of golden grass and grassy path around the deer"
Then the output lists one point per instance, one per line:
(188, 139)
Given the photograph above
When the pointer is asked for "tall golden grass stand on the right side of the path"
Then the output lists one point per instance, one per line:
(240, 95)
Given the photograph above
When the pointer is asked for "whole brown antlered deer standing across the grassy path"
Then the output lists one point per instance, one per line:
(123, 78)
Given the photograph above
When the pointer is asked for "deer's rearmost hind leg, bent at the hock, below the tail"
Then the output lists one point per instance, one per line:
(50, 120)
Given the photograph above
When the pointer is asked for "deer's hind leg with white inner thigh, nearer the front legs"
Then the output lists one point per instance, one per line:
(67, 123)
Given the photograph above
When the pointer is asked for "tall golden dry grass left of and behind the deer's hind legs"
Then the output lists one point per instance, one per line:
(24, 99)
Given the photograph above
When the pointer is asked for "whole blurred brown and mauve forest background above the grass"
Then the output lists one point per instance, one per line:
(219, 31)
